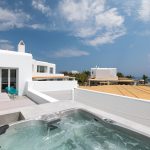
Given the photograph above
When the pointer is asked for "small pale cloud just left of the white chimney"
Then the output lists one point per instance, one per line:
(6, 45)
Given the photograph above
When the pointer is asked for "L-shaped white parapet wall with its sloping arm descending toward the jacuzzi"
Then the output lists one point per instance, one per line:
(35, 89)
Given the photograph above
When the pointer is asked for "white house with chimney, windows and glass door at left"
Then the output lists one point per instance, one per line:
(18, 67)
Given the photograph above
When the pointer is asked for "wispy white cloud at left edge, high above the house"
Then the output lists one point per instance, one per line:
(10, 19)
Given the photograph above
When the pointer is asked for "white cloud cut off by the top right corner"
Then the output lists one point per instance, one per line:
(144, 11)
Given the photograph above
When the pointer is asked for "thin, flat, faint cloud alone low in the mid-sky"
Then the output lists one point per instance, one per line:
(70, 53)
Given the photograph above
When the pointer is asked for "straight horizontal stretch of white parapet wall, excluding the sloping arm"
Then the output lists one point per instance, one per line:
(45, 86)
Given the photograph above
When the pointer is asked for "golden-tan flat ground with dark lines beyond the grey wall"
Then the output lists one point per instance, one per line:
(142, 92)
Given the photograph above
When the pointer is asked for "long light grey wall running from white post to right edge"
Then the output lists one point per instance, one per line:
(137, 110)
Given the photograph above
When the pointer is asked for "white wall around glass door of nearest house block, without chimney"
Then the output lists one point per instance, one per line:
(20, 61)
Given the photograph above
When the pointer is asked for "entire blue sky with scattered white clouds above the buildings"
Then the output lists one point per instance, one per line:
(80, 34)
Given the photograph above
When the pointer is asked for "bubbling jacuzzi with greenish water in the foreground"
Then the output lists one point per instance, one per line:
(74, 129)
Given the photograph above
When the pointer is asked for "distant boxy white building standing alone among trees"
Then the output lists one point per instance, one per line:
(104, 73)
